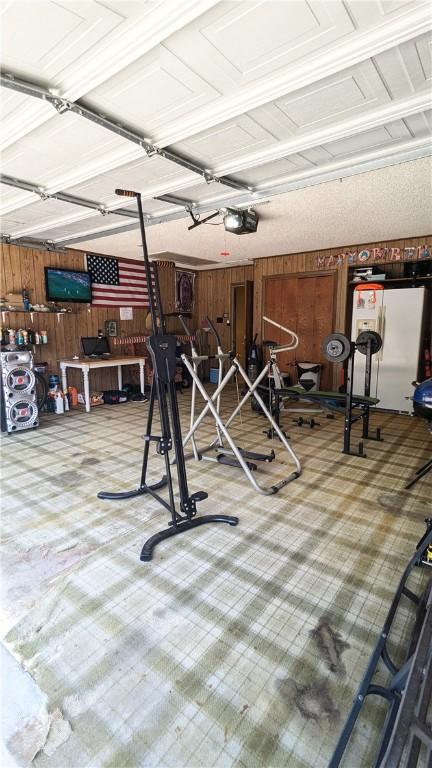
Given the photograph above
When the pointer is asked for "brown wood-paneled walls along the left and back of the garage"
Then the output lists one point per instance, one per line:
(24, 268)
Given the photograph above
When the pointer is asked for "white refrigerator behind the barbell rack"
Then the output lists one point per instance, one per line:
(397, 315)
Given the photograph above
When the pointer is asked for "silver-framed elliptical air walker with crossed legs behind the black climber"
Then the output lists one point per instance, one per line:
(228, 452)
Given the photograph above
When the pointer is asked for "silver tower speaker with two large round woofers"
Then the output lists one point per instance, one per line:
(18, 392)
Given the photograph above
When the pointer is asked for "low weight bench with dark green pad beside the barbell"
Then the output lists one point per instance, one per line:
(338, 402)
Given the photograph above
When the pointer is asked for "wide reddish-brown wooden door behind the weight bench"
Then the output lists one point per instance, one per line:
(305, 304)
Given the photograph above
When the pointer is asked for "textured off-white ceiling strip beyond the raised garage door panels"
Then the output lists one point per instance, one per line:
(390, 203)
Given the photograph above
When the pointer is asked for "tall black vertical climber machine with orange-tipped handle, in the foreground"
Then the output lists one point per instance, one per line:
(162, 349)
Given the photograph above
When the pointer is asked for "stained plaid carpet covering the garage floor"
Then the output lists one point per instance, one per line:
(235, 646)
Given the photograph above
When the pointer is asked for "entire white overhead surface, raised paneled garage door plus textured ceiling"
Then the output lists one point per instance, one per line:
(278, 100)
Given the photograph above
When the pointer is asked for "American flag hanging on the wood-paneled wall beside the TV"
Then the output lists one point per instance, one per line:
(117, 282)
